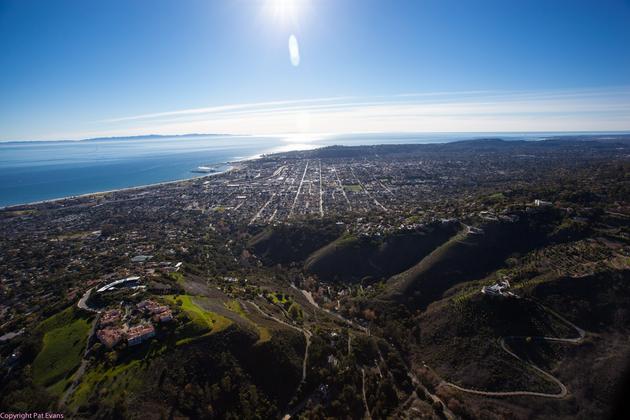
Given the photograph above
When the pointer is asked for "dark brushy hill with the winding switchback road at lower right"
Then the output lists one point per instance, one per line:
(461, 340)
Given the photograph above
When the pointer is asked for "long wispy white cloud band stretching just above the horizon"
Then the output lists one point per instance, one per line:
(551, 110)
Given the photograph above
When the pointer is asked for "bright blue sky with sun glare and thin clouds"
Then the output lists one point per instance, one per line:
(76, 69)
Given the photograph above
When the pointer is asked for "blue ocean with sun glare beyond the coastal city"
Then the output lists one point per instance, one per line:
(36, 171)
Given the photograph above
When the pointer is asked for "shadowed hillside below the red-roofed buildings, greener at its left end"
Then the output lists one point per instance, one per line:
(157, 379)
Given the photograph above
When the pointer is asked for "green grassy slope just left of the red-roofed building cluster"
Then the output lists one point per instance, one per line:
(65, 337)
